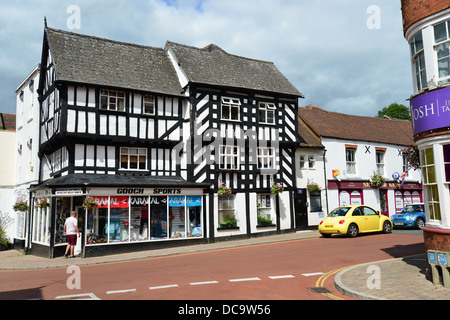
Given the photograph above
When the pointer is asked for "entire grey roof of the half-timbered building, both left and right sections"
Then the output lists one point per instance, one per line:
(91, 60)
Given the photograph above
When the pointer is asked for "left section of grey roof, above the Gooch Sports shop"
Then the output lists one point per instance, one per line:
(91, 60)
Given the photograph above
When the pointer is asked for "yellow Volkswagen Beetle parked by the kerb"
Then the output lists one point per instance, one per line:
(353, 220)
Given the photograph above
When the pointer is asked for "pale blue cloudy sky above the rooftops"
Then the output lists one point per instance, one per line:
(325, 47)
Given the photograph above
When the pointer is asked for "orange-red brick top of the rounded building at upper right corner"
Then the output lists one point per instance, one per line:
(415, 10)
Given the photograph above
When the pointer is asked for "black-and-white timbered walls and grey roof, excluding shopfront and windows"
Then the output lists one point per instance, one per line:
(167, 102)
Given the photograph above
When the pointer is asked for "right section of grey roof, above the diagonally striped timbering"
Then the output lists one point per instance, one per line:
(214, 66)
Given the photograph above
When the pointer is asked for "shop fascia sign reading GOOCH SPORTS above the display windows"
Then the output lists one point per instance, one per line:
(131, 191)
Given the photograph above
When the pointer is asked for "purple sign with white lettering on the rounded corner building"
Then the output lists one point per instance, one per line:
(431, 110)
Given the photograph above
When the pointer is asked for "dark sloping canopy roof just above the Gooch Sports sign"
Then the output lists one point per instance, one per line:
(111, 181)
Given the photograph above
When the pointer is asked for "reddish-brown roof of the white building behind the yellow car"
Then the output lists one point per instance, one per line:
(349, 127)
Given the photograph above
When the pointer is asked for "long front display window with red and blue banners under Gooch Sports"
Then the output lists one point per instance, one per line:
(119, 219)
